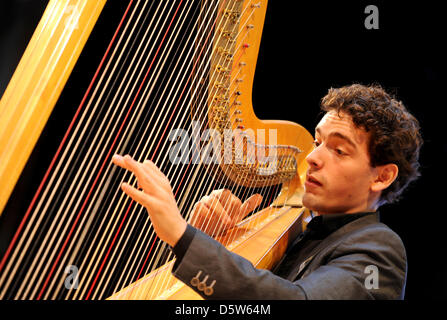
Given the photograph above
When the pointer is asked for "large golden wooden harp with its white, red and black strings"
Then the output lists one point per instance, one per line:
(174, 80)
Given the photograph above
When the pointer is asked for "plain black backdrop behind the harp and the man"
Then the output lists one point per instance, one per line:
(305, 50)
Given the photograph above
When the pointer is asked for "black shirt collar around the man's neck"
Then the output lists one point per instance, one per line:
(323, 225)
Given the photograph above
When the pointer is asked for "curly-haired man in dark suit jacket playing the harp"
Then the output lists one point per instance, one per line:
(366, 153)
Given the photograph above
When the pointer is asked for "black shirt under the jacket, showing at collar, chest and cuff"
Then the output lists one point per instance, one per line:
(317, 230)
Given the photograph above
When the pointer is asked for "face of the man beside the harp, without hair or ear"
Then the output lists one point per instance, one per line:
(339, 175)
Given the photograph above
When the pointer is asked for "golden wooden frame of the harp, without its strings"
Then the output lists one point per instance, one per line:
(37, 84)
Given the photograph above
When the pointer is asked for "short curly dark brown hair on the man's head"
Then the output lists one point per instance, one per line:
(394, 133)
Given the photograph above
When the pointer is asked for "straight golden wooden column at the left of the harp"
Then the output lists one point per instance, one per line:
(38, 82)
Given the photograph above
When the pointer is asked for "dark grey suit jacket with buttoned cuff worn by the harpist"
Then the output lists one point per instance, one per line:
(341, 266)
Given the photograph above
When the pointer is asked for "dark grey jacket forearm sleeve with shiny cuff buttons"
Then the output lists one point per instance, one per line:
(226, 275)
